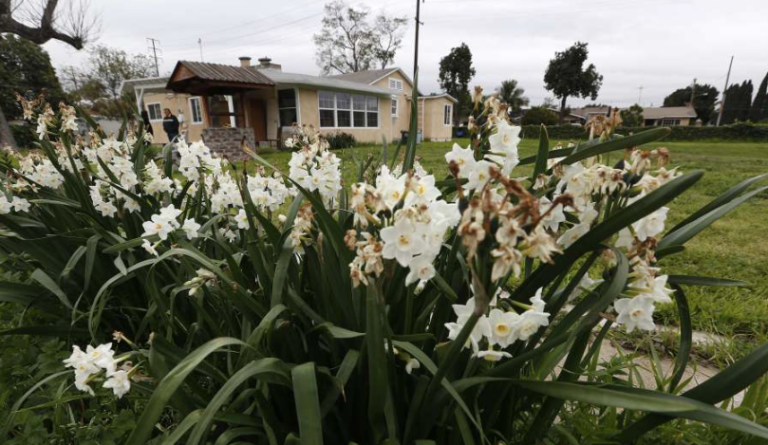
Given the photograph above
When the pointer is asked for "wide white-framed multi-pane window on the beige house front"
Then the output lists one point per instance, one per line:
(345, 110)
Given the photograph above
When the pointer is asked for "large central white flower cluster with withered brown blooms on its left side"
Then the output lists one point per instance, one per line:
(415, 218)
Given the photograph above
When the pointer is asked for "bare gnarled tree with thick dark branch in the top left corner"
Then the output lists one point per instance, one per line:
(40, 21)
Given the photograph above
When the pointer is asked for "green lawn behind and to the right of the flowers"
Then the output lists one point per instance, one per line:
(734, 247)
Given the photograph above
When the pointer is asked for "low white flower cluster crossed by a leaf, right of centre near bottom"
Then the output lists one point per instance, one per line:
(500, 327)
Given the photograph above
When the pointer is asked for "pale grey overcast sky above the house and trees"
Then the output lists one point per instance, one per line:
(659, 45)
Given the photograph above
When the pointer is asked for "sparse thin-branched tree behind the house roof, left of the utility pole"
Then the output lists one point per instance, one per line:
(349, 43)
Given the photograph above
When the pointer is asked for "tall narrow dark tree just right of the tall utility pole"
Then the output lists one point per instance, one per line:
(456, 71)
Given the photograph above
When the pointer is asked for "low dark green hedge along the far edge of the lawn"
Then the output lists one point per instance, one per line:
(736, 132)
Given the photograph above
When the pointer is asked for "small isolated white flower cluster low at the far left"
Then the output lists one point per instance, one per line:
(89, 363)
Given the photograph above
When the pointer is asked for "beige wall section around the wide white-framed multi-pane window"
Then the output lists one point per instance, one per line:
(309, 112)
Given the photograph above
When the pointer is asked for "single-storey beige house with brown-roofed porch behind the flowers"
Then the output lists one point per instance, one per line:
(225, 104)
